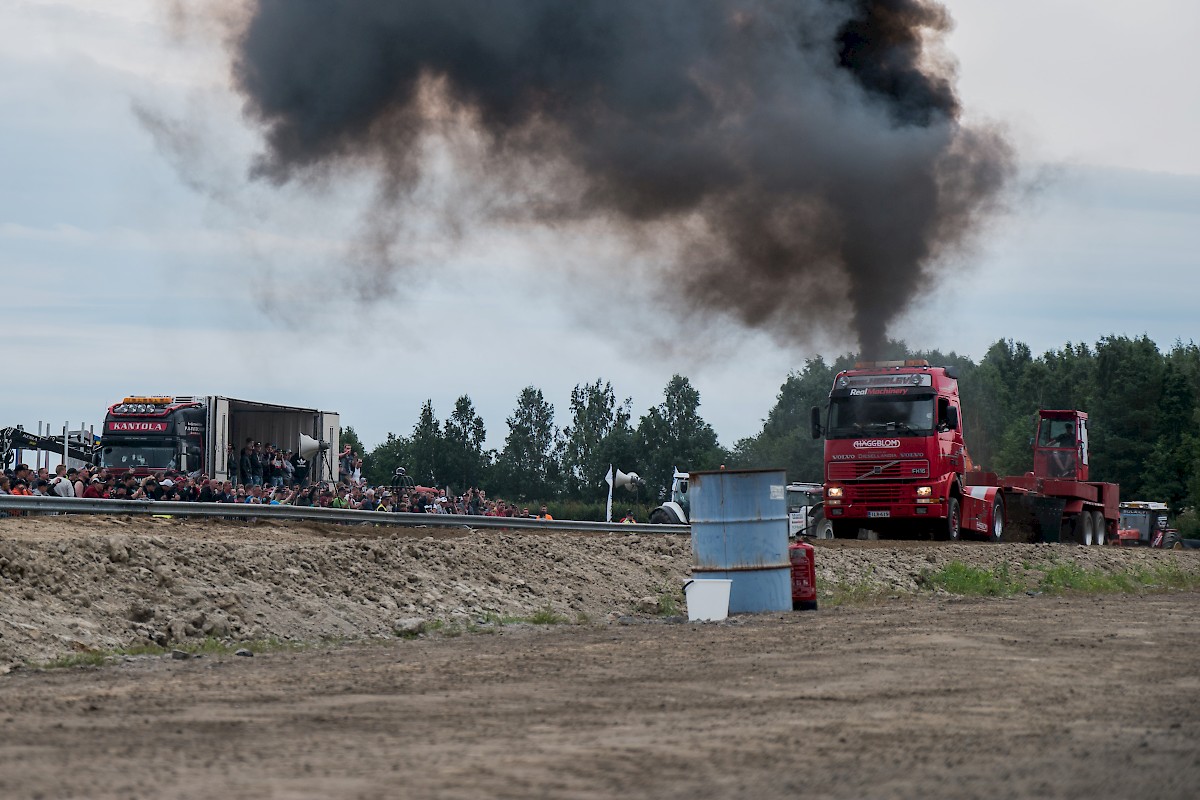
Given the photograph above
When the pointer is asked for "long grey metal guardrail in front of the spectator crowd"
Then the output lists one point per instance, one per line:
(247, 512)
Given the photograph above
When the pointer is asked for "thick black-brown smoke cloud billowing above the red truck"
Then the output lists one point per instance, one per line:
(806, 159)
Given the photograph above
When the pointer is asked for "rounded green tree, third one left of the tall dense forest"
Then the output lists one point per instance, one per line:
(527, 467)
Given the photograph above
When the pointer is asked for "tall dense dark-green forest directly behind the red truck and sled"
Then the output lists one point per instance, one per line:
(1143, 406)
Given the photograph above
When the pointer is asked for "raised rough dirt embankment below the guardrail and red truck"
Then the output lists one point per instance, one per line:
(73, 585)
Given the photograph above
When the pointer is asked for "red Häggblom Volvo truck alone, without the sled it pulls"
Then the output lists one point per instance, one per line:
(895, 456)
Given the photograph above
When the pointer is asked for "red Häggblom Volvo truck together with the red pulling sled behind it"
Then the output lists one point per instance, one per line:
(897, 465)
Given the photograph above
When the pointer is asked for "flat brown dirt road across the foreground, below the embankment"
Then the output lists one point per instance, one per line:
(1035, 697)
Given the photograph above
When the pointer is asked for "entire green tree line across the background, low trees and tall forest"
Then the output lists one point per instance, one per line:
(1143, 405)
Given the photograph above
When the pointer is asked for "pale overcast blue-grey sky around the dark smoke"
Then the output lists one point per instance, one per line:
(128, 270)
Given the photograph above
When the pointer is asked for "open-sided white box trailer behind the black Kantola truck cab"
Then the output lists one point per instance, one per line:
(235, 422)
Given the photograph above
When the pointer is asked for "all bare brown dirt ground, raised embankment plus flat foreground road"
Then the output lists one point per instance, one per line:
(919, 696)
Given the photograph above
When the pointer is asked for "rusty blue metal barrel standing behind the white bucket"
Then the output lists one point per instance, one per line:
(740, 532)
